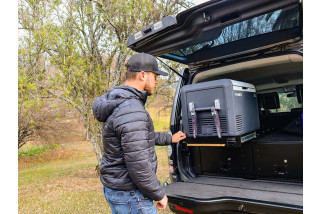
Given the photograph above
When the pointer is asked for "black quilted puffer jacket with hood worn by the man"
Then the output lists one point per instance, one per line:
(129, 160)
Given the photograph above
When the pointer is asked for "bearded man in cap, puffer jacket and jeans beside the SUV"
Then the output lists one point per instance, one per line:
(129, 162)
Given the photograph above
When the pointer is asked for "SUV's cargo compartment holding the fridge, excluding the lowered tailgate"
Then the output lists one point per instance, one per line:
(276, 154)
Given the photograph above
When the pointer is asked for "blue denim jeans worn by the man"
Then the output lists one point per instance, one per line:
(132, 201)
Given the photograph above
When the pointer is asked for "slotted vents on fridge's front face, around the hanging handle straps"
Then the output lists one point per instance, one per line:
(208, 124)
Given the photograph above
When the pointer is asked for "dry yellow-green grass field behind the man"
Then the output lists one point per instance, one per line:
(62, 179)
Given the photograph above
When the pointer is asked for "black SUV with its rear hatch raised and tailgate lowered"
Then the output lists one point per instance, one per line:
(258, 43)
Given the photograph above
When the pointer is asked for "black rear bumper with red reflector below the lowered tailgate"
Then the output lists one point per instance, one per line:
(230, 204)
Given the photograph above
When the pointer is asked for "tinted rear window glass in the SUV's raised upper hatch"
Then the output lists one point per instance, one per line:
(270, 22)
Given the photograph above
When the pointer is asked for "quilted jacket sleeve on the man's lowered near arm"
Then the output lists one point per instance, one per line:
(132, 125)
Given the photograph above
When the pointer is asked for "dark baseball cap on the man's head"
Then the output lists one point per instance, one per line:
(144, 62)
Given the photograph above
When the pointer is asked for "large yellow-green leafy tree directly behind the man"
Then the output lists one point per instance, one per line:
(84, 47)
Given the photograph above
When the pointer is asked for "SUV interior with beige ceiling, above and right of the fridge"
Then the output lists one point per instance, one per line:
(274, 78)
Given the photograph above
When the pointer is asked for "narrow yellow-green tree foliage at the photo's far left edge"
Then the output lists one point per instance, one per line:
(31, 69)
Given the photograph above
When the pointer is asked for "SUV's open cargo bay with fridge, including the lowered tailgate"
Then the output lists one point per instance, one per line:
(264, 173)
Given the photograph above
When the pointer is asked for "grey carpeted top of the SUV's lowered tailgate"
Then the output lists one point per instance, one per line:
(203, 187)
